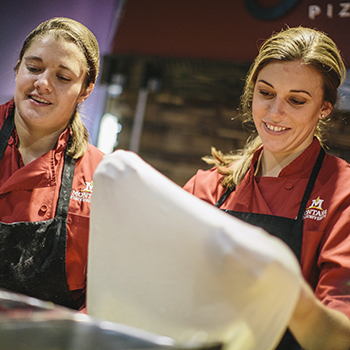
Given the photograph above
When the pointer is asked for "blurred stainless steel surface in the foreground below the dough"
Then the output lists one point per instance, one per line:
(30, 324)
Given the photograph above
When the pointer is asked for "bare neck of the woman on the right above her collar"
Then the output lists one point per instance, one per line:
(271, 165)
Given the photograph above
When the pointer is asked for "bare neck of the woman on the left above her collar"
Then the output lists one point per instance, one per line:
(33, 143)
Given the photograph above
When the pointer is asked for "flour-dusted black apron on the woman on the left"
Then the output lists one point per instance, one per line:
(33, 254)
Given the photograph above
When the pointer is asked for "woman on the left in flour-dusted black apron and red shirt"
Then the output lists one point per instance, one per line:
(45, 156)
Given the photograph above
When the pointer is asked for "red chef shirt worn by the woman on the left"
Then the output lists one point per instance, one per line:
(30, 193)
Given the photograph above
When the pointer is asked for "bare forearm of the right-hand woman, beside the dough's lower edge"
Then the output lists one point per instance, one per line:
(315, 326)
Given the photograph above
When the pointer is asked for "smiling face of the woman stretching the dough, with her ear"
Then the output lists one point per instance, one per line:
(287, 104)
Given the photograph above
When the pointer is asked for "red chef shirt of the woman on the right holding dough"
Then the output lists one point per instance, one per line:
(325, 256)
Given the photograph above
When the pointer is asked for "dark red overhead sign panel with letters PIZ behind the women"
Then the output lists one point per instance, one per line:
(223, 29)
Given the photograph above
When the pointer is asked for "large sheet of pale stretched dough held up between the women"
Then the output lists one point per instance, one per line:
(166, 262)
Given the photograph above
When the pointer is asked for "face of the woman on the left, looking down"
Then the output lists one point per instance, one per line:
(49, 84)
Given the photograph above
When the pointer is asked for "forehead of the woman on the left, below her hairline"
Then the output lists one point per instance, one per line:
(56, 50)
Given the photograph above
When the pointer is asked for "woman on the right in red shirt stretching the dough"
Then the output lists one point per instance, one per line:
(284, 182)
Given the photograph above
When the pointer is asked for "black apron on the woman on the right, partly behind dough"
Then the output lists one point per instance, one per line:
(289, 230)
